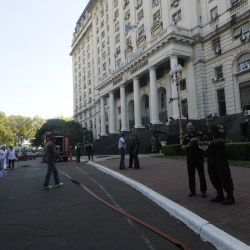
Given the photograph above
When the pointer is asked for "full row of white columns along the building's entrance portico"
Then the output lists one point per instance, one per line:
(153, 101)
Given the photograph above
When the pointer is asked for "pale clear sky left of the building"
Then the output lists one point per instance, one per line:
(35, 66)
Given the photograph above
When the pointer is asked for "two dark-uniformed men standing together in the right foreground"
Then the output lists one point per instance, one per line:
(211, 142)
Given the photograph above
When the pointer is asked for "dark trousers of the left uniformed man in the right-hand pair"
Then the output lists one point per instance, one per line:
(193, 165)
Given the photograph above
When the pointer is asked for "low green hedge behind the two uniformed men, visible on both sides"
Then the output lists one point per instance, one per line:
(235, 151)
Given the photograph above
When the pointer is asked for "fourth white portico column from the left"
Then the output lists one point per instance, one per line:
(137, 104)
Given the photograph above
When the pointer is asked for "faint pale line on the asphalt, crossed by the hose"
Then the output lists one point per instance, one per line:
(130, 222)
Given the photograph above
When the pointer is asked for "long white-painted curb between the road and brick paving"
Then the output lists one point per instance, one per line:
(207, 231)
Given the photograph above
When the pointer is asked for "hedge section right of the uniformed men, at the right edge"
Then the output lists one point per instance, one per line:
(238, 151)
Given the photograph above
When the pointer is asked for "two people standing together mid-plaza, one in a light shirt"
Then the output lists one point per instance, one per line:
(133, 148)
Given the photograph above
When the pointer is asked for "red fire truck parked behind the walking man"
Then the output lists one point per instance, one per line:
(61, 141)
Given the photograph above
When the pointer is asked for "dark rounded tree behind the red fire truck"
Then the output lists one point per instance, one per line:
(63, 126)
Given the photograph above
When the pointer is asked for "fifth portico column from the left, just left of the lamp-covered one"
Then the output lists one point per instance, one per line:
(154, 102)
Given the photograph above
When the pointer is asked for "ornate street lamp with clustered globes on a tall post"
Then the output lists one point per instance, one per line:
(176, 73)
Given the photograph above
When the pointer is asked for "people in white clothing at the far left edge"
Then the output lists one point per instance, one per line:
(7, 159)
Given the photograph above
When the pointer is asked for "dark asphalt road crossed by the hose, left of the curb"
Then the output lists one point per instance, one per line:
(69, 218)
